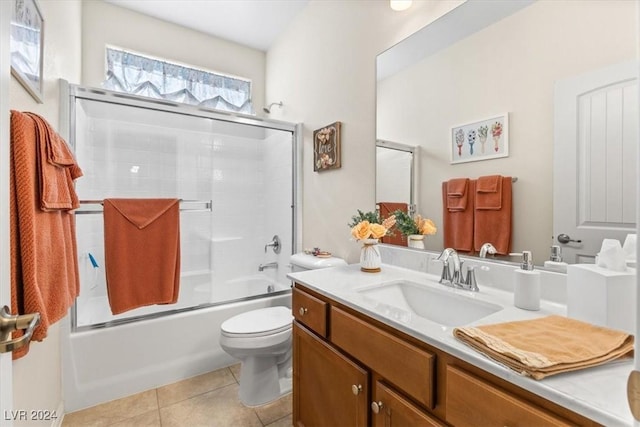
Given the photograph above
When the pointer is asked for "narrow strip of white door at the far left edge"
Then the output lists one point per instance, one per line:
(6, 380)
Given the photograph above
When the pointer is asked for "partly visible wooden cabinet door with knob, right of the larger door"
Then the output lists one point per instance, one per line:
(392, 409)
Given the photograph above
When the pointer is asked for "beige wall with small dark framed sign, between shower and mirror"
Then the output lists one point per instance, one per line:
(323, 69)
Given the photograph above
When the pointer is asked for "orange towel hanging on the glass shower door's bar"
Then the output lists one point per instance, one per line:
(142, 252)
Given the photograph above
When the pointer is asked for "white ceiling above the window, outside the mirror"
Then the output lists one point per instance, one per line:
(253, 23)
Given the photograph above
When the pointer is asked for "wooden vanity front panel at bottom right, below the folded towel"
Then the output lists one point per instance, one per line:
(472, 401)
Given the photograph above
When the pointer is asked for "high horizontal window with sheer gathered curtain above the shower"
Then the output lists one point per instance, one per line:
(154, 78)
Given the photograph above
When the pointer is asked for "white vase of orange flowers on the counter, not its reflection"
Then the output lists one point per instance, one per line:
(368, 228)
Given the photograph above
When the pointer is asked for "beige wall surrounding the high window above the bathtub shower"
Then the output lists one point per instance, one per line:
(106, 24)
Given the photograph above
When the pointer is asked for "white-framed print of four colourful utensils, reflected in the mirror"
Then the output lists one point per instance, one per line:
(481, 140)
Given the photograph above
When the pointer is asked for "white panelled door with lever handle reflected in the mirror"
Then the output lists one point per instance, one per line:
(595, 152)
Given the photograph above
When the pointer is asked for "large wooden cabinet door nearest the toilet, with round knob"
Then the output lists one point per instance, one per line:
(328, 388)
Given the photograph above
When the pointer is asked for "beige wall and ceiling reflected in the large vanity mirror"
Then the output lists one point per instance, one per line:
(480, 60)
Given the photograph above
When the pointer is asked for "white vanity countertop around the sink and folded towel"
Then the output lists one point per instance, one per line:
(598, 393)
